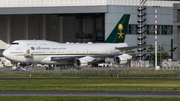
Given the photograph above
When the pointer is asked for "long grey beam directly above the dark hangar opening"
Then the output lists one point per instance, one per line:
(54, 10)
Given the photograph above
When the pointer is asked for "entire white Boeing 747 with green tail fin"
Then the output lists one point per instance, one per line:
(78, 54)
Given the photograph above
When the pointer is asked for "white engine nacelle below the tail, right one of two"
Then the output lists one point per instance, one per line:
(120, 60)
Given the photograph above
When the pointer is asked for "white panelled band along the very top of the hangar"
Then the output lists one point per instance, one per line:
(53, 3)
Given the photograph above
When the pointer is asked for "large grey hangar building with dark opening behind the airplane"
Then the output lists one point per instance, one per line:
(85, 20)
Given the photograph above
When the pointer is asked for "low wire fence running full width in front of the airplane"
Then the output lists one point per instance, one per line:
(93, 72)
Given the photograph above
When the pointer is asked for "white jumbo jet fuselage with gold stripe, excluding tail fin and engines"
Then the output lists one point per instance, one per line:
(41, 51)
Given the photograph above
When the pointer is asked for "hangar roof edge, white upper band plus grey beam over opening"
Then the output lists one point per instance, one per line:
(71, 6)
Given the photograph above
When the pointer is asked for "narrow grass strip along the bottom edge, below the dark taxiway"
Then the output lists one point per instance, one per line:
(81, 98)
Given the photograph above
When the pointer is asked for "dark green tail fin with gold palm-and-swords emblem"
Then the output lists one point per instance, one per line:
(119, 32)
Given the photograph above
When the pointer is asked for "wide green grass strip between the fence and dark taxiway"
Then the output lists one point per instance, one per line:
(91, 85)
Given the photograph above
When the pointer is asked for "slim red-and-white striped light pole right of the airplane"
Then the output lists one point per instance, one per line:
(156, 36)
